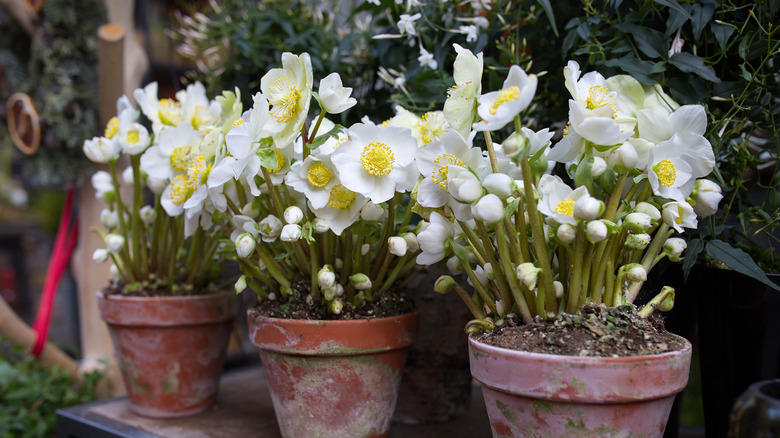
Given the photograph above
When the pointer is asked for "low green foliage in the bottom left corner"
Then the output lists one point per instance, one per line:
(31, 393)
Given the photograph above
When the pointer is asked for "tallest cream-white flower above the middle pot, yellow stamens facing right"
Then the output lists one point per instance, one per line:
(288, 90)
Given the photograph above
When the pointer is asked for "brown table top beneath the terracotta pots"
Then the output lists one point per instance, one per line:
(243, 408)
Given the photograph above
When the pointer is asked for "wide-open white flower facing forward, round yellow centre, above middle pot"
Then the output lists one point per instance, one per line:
(374, 161)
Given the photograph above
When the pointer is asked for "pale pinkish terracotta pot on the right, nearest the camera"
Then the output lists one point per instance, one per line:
(534, 394)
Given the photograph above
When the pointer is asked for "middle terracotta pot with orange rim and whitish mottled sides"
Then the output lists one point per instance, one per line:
(333, 378)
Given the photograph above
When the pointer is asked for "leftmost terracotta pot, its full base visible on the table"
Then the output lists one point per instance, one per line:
(170, 349)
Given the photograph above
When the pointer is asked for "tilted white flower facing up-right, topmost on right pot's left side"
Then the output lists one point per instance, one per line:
(500, 107)
